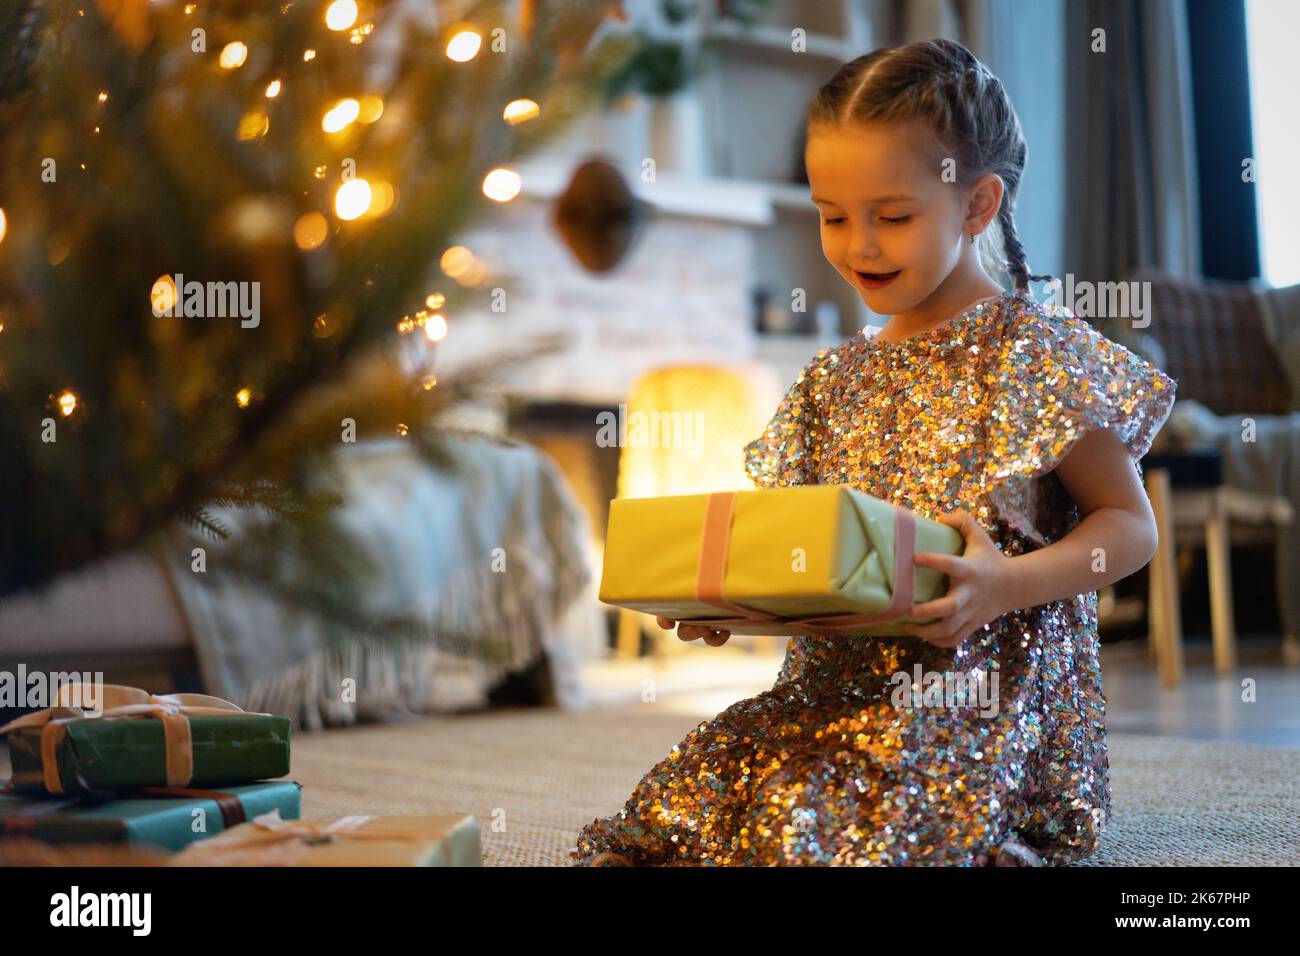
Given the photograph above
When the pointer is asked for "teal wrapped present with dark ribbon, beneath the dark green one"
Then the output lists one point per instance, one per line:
(167, 817)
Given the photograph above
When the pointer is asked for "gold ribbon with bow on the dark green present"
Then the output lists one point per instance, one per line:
(128, 703)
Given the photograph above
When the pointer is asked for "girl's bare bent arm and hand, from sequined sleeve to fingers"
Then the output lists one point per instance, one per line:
(1116, 538)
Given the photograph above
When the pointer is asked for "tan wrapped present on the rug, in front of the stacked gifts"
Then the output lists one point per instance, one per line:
(449, 840)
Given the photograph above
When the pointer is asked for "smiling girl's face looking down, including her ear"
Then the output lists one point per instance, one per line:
(891, 224)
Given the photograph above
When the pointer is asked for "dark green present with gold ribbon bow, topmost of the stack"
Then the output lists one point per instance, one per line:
(144, 741)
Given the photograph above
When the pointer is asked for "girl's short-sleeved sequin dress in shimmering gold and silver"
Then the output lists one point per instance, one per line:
(825, 768)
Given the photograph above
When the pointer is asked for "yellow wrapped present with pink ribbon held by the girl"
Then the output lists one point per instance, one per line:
(824, 560)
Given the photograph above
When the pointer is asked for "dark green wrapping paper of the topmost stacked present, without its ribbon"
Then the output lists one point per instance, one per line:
(99, 755)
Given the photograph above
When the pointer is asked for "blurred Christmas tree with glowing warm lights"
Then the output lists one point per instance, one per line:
(229, 227)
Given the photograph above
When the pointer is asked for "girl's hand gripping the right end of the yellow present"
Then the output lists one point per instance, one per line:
(978, 590)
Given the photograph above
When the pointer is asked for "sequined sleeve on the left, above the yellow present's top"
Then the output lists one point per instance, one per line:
(788, 453)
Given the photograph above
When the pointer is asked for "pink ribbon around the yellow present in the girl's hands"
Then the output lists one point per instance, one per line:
(712, 576)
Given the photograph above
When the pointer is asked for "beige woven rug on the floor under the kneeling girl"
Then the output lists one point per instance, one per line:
(535, 777)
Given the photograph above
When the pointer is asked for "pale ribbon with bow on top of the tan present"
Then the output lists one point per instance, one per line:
(275, 842)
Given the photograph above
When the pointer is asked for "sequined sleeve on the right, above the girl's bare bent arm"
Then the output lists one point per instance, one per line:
(1052, 380)
